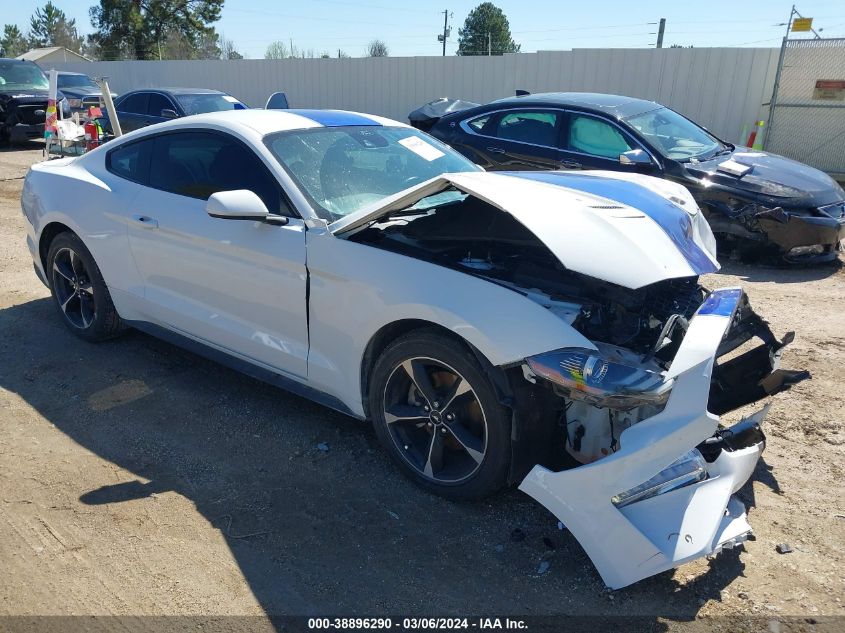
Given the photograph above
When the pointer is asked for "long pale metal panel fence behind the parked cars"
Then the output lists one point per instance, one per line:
(724, 89)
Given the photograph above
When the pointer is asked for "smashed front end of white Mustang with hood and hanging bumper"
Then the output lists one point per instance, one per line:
(618, 435)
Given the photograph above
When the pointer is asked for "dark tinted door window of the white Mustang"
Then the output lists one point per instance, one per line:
(198, 164)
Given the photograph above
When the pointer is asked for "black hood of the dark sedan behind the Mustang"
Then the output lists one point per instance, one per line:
(772, 175)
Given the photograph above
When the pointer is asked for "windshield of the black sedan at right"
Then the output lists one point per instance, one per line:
(674, 136)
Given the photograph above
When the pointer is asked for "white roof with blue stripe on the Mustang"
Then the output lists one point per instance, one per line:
(255, 122)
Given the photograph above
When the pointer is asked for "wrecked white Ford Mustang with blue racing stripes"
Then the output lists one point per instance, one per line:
(546, 329)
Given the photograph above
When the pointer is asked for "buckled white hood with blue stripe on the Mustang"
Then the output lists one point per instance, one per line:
(627, 229)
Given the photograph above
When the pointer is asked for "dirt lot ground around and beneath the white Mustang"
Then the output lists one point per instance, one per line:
(136, 478)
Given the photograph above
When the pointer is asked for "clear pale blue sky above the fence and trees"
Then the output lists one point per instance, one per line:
(411, 28)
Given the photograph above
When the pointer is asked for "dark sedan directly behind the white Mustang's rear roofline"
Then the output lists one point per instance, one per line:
(141, 108)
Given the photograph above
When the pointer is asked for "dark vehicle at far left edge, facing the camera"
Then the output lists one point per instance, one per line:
(24, 89)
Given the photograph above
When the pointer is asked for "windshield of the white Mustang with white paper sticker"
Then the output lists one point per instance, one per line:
(344, 169)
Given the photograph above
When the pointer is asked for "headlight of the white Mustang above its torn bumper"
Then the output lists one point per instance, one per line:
(586, 375)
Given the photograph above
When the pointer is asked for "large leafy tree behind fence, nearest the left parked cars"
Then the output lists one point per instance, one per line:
(140, 29)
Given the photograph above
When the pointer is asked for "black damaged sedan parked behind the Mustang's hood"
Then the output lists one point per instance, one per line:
(757, 202)
